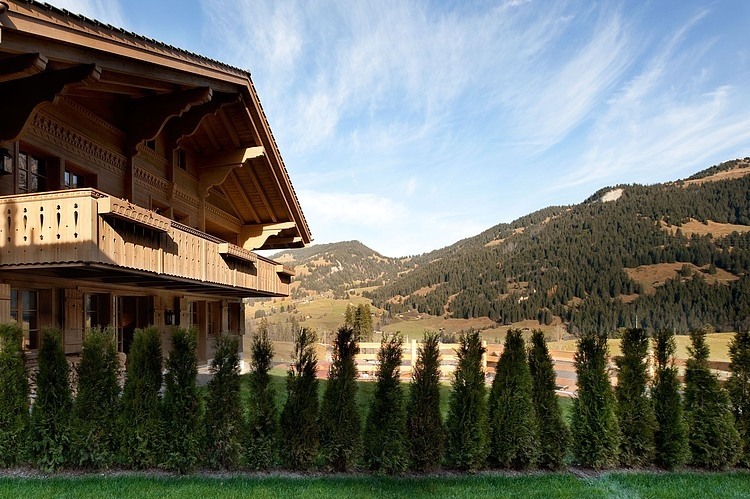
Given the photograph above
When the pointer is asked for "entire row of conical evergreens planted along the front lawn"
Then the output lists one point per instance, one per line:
(164, 422)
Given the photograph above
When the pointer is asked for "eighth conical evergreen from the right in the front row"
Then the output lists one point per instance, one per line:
(467, 423)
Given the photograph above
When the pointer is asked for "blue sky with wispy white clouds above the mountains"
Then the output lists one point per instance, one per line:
(409, 125)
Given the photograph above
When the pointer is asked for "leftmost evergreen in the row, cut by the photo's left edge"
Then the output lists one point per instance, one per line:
(14, 395)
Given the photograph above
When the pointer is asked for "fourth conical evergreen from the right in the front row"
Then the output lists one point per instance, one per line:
(635, 412)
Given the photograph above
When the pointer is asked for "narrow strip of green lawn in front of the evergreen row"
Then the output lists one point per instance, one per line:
(643, 485)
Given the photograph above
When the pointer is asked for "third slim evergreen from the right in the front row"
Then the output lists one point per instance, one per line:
(671, 436)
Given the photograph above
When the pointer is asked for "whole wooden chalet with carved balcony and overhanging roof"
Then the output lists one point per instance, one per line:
(136, 182)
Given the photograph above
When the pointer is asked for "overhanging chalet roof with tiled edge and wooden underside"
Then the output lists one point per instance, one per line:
(121, 72)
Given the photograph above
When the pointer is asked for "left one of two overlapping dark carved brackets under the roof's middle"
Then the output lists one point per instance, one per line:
(148, 115)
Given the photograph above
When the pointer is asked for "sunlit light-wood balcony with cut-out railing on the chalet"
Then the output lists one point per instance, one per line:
(85, 234)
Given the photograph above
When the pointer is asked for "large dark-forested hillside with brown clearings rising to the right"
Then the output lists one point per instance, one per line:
(586, 263)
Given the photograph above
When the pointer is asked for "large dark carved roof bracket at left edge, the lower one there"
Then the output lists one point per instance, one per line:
(21, 96)
